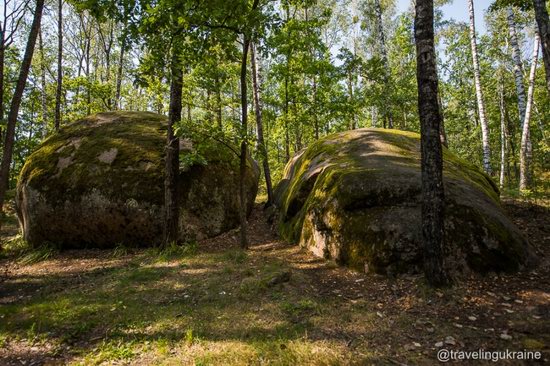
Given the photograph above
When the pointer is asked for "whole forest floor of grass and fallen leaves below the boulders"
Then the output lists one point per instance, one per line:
(273, 304)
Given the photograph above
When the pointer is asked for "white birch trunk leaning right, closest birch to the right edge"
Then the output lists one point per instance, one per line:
(525, 151)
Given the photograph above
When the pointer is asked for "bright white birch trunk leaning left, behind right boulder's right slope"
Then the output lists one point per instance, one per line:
(479, 93)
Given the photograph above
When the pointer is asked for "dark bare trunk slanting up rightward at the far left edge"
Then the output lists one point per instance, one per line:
(16, 102)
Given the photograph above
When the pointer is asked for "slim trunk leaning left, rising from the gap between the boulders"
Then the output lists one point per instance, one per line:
(259, 125)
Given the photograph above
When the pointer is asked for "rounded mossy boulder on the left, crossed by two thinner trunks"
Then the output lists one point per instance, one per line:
(99, 182)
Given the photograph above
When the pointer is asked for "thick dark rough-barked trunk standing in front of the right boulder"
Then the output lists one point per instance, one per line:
(433, 209)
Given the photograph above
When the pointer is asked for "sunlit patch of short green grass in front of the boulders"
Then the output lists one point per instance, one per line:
(166, 306)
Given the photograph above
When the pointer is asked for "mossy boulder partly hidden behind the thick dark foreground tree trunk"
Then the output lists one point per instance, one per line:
(355, 197)
